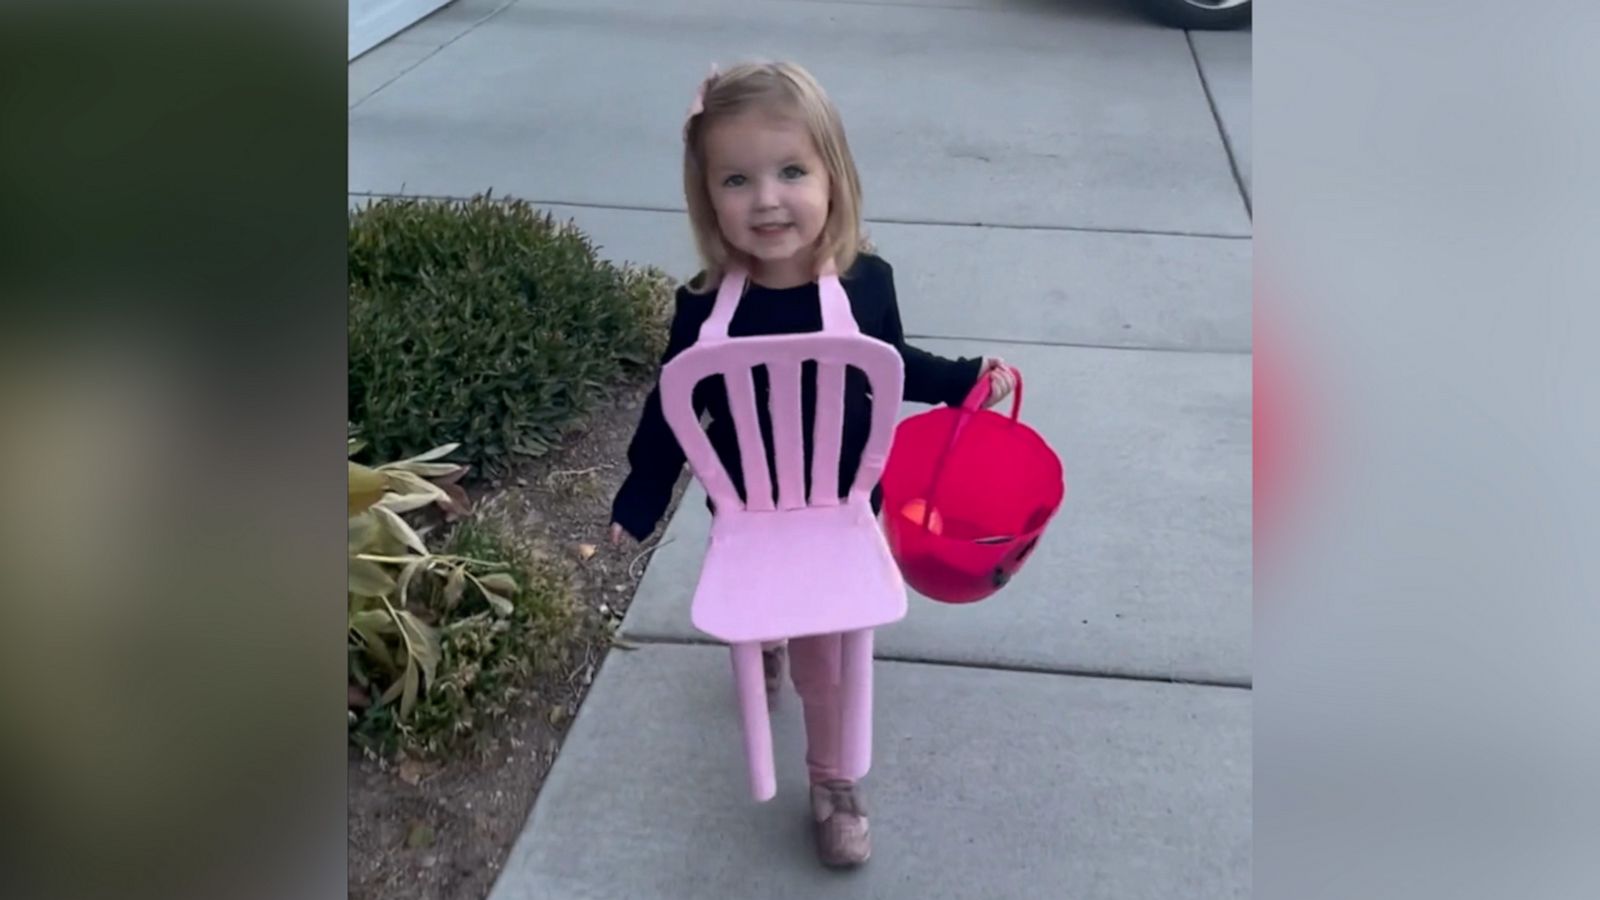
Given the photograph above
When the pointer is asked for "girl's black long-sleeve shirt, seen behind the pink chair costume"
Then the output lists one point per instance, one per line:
(655, 456)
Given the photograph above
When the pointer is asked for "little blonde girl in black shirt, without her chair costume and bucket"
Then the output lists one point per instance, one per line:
(772, 190)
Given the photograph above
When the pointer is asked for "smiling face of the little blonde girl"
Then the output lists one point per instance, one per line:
(770, 191)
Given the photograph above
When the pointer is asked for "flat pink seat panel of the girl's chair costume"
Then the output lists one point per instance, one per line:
(815, 571)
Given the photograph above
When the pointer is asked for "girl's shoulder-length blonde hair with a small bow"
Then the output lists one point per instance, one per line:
(780, 89)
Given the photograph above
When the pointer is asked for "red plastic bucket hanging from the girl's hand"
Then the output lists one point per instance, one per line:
(967, 494)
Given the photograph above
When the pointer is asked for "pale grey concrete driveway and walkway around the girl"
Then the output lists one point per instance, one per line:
(1060, 183)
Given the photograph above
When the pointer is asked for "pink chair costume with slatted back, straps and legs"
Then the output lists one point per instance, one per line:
(794, 566)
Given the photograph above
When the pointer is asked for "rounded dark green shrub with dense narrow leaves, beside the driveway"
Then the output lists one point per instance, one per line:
(487, 323)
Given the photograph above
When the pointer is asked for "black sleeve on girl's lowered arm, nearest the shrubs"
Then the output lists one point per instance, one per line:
(655, 456)
